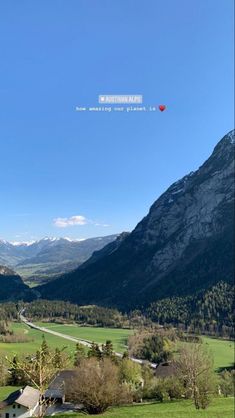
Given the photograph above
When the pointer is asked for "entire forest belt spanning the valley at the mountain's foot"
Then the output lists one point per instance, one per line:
(209, 312)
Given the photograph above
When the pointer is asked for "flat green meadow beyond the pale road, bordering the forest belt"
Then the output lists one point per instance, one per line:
(100, 335)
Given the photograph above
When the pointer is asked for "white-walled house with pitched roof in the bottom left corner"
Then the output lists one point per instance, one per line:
(21, 403)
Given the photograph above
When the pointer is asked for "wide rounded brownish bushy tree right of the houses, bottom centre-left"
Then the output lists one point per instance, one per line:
(98, 386)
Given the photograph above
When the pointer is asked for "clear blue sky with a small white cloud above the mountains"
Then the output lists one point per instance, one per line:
(67, 173)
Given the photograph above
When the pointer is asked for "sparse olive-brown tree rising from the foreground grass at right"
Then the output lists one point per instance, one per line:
(195, 370)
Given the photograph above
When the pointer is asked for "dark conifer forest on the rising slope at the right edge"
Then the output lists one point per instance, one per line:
(209, 312)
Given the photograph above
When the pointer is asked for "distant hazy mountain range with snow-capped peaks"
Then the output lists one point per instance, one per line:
(42, 260)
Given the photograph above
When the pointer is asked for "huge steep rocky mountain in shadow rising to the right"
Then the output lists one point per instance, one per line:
(183, 245)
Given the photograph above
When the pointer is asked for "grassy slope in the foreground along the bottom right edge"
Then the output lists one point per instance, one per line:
(220, 408)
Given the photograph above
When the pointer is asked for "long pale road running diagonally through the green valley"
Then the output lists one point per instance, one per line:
(86, 343)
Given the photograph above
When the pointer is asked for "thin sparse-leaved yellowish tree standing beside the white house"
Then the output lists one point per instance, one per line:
(39, 371)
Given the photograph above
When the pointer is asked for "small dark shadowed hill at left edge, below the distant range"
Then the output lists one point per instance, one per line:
(12, 286)
